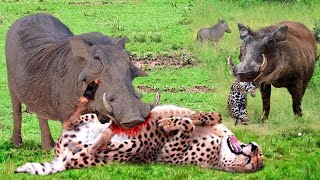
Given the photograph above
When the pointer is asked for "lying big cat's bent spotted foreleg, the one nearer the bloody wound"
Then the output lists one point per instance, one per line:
(174, 150)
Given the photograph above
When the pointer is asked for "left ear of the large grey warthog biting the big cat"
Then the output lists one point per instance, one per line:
(79, 47)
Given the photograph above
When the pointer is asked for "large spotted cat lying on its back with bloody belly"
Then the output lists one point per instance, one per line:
(170, 134)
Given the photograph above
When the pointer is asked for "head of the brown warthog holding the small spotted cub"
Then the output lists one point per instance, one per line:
(254, 51)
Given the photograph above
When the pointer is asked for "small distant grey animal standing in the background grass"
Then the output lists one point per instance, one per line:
(213, 33)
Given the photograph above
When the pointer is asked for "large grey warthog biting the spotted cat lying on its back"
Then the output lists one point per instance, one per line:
(49, 68)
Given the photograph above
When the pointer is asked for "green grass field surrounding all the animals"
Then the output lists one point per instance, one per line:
(165, 27)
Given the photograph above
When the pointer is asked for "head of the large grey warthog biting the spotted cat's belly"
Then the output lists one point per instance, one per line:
(106, 59)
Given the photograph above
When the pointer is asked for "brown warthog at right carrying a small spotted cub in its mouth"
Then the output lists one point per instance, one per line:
(283, 55)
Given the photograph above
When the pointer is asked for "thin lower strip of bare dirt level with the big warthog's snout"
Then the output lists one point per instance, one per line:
(194, 89)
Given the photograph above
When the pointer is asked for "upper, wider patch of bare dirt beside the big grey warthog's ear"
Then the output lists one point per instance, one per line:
(160, 61)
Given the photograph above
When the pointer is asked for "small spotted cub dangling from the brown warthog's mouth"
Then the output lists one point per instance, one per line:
(237, 100)
